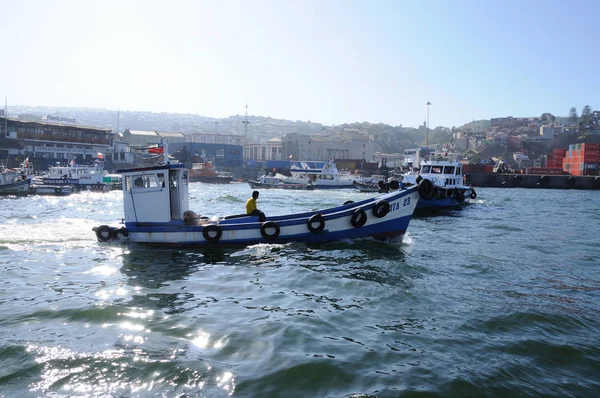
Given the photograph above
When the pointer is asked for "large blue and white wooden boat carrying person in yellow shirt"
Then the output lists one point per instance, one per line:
(159, 214)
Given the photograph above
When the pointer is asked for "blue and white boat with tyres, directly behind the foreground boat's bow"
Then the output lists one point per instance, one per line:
(440, 184)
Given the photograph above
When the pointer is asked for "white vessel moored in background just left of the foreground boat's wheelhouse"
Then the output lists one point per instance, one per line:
(80, 176)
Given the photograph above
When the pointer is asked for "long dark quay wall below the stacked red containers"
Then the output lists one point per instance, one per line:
(498, 180)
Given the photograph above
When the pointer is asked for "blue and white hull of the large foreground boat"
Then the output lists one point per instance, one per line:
(338, 223)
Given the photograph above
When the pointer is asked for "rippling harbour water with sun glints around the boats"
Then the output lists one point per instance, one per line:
(500, 298)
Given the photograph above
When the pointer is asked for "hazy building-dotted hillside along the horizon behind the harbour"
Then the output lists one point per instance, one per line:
(518, 141)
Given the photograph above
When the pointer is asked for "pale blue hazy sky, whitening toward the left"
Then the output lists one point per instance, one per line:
(325, 61)
